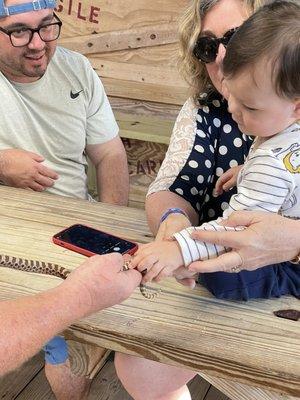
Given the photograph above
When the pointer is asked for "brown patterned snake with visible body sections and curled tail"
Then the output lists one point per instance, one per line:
(41, 267)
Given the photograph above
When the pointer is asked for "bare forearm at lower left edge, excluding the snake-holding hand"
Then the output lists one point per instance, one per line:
(28, 323)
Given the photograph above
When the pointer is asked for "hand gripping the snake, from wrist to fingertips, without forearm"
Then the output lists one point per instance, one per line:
(100, 283)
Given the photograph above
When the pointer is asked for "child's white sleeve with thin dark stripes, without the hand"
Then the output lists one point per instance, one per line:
(264, 186)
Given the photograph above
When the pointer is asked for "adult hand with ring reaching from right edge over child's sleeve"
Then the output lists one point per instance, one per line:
(267, 239)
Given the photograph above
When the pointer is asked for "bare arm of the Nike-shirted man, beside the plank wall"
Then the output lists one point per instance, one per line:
(110, 161)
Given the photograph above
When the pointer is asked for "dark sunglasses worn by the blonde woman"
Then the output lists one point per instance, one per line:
(206, 47)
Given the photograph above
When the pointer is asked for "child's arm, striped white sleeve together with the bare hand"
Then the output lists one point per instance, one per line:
(255, 192)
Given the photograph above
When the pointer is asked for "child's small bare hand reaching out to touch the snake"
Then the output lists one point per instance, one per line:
(159, 258)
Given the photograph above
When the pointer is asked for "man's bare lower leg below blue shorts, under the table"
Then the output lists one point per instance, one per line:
(64, 384)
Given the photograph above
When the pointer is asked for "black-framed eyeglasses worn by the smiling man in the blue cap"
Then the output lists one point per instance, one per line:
(20, 37)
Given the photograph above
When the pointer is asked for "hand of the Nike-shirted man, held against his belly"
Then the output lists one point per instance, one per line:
(24, 169)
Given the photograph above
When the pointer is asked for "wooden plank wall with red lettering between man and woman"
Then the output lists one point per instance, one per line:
(133, 46)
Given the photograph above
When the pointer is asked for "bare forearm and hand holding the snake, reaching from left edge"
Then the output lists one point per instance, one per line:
(29, 322)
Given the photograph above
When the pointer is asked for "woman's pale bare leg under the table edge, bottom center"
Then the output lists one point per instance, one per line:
(144, 379)
